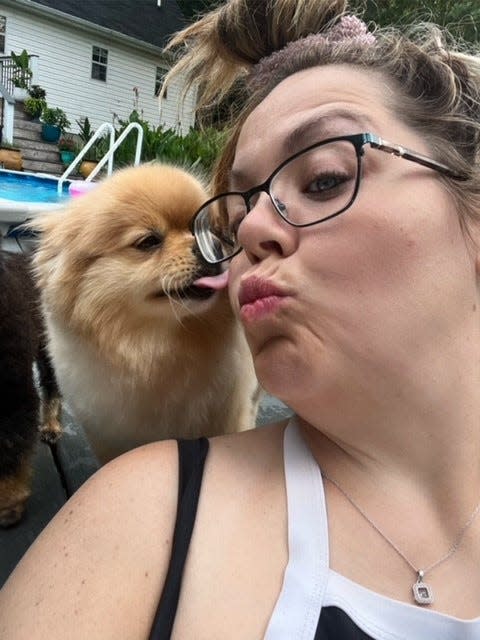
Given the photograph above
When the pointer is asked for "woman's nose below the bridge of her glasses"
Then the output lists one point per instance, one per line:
(263, 231)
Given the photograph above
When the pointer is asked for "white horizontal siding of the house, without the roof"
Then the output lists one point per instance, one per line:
(64, 71)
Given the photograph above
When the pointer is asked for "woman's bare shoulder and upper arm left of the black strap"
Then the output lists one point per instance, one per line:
(98, 568)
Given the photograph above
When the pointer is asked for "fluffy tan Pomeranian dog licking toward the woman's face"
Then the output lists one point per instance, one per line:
(141, 351)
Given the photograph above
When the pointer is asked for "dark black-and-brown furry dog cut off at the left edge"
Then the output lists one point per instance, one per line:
(22, 342)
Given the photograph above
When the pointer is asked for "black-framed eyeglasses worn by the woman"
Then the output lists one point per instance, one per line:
(312, 186)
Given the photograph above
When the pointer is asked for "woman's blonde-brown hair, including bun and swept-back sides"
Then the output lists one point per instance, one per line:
(252, 45)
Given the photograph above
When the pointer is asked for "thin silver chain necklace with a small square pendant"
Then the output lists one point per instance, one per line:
(422, 592)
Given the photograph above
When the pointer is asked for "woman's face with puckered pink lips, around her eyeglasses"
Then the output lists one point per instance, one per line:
(364, 300)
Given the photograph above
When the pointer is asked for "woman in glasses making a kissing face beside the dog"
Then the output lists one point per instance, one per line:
(356, 276)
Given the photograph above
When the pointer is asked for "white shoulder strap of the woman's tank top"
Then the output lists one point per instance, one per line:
(298, 607)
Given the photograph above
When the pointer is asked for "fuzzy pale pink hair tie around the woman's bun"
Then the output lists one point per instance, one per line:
(347, 29)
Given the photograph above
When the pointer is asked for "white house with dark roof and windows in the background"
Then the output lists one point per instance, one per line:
(98, 58)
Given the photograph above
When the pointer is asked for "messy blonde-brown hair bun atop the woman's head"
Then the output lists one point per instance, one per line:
(226, 43)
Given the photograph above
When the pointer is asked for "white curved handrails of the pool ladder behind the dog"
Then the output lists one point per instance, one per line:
(108, 157)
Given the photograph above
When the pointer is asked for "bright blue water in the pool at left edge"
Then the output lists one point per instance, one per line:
(27, 187)
